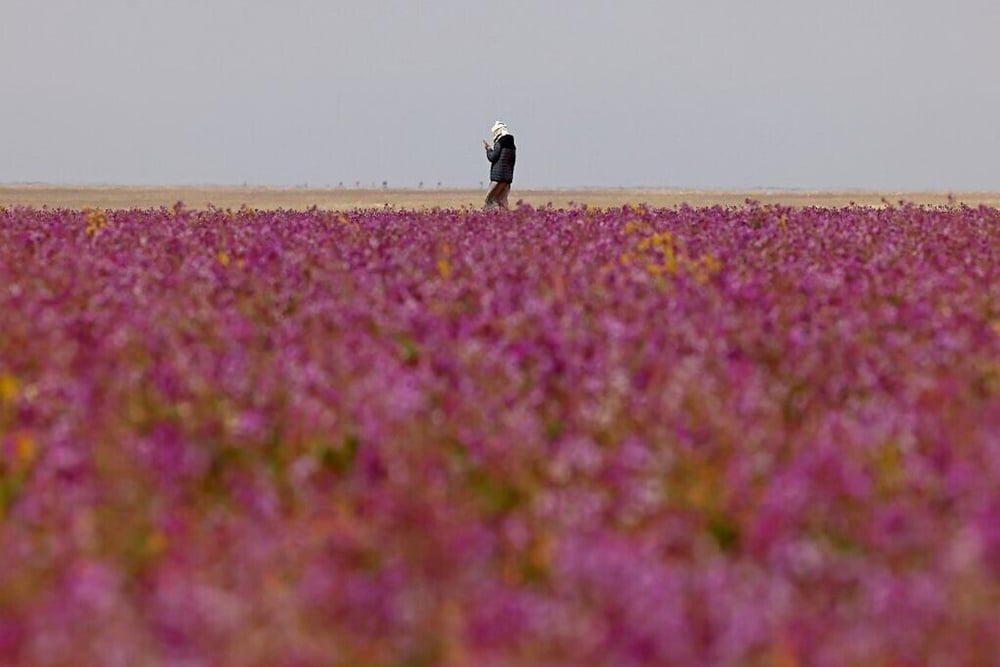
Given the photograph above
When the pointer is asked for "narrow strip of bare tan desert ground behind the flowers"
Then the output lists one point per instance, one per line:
(109, 196)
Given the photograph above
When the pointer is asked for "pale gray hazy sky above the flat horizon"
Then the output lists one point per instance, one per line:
(883, 94)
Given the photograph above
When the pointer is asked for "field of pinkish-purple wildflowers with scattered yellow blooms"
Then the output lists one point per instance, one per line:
(749, 435)
